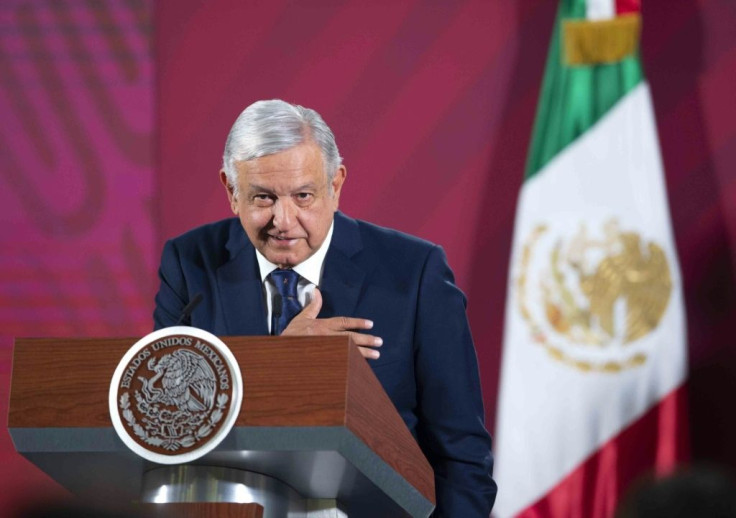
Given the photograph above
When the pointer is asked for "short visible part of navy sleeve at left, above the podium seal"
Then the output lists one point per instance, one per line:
(172, 293)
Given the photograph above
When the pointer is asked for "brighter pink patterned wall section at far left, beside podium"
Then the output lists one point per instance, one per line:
(78, 239)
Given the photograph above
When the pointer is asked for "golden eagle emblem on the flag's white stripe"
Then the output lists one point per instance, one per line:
(592, 301)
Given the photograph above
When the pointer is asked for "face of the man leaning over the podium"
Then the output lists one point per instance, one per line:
(285, 203)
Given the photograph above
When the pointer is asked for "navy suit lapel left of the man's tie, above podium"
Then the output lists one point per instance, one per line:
(239, 287)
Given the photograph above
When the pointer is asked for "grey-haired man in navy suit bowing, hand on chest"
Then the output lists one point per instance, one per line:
(283, 176)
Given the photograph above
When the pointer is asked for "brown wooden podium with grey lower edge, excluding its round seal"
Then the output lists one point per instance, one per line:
(314, 420)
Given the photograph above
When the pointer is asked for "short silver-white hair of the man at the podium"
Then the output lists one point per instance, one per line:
(269, 127)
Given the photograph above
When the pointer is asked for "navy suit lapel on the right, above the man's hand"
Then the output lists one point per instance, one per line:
(342, 280)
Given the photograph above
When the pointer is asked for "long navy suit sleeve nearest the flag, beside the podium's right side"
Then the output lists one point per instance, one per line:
(451, 422)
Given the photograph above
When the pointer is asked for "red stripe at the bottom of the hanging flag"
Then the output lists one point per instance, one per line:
(656, 441)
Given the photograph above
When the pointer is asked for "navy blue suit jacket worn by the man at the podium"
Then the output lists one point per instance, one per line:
(428, 365)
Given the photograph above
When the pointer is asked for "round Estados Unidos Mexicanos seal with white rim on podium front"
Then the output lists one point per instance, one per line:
(175, 395)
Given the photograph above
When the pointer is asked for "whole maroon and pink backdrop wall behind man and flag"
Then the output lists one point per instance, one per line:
(114, 116)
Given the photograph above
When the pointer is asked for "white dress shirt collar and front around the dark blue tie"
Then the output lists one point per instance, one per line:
(310, 275)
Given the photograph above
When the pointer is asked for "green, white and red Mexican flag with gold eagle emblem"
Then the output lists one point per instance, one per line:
(595, 352)
